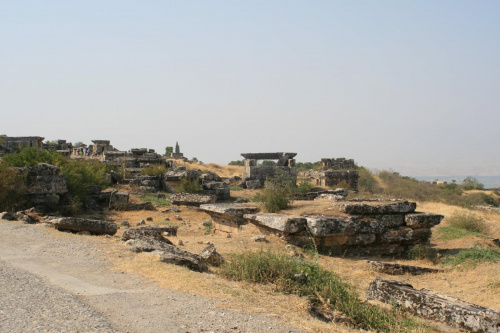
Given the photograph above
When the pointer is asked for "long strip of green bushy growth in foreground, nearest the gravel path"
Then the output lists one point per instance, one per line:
(321, 287)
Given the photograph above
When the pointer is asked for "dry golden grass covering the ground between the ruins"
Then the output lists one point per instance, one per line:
(478, 284)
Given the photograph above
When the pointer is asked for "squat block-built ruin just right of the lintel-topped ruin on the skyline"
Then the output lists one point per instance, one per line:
(335, 171)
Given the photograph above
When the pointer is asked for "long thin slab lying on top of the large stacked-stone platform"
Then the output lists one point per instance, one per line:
(396, 207)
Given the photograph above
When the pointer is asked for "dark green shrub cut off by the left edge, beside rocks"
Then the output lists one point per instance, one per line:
(12, 188)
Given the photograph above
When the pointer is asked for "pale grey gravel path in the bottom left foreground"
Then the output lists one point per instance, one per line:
(59, 282)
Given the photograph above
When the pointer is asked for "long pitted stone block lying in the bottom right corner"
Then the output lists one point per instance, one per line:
(436, 306)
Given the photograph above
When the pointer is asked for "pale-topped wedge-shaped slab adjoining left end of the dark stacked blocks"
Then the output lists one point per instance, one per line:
(285, 223)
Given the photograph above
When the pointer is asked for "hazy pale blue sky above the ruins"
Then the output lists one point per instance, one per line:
(408, 85)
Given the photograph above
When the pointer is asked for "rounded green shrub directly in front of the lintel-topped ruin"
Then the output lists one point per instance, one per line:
(278, 192)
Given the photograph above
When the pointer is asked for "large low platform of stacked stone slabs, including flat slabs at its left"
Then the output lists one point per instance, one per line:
(356, 228)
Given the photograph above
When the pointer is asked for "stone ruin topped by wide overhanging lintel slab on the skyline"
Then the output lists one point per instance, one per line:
(254, 175)
